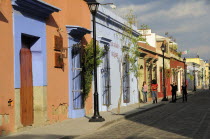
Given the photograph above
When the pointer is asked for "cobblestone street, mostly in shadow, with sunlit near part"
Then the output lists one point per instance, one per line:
(173, 120)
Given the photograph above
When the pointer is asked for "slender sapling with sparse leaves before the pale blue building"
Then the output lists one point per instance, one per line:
(131, 48)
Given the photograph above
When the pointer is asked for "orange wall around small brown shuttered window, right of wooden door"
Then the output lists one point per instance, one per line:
(74, 12)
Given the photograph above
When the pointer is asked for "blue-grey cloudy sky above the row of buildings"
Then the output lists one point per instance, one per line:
(187, 21)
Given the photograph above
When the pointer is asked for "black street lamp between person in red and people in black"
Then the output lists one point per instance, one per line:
(163, 47)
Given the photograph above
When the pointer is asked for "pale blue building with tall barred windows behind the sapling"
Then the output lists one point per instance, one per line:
(113, 73)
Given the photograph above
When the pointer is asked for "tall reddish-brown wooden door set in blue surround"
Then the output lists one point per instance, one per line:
(26, 90)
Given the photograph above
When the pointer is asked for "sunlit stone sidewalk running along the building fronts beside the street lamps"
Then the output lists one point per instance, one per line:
(80, 126)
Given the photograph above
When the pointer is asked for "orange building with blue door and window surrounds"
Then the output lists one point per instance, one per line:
(38, 65)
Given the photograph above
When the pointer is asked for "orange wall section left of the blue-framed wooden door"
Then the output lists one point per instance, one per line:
(6, 66)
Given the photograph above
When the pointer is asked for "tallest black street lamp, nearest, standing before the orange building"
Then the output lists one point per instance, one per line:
(93, 6)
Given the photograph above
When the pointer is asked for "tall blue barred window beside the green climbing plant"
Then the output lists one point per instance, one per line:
(76, 101)
